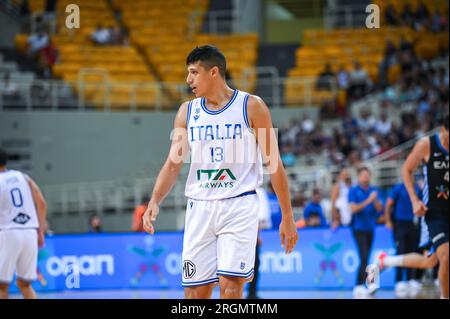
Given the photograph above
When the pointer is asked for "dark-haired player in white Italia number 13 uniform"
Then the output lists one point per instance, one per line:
(225, 131)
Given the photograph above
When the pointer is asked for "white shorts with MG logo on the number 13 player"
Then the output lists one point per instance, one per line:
(220, 239)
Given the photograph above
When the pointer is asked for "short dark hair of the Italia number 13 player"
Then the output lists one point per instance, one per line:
(209, 56)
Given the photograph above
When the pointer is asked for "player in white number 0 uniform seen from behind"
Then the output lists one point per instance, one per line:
(22, 211)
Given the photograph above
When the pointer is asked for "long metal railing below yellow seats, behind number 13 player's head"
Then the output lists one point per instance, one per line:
(38, 94)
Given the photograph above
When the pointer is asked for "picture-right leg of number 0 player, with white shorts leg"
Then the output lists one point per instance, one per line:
(27, 263)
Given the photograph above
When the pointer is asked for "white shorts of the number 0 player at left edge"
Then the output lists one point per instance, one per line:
(18, 253)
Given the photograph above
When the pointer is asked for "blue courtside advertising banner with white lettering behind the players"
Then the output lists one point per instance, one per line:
(322, 259)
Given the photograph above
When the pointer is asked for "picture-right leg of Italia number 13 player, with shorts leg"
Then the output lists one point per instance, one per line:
(237, 235)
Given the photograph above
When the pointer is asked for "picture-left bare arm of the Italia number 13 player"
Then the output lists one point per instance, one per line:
(168, 175)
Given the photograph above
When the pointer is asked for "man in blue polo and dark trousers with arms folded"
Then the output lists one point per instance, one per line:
(365, 205)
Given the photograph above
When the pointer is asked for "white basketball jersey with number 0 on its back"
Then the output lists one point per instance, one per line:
(17, 208)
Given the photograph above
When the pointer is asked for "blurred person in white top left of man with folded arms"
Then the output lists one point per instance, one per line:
(340, 207)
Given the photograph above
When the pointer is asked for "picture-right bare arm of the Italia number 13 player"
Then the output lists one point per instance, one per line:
(261, 123)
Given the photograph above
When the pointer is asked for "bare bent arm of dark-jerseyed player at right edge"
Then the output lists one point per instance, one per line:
(420, 153)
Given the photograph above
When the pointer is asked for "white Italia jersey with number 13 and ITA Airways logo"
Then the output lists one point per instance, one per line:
(225, 158)
